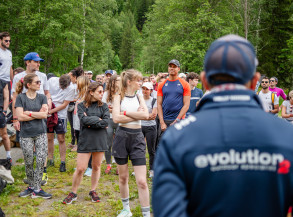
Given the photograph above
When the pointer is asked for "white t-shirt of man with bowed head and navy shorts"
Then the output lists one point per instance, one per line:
(66, 94)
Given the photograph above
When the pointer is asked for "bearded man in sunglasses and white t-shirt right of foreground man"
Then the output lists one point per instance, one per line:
(269, 99)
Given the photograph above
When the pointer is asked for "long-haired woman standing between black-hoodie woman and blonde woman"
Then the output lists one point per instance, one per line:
(112, 89)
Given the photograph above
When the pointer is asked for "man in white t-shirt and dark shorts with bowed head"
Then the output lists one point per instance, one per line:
(61, 100)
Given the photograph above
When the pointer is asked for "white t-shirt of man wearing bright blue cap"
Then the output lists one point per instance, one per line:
(42, 77)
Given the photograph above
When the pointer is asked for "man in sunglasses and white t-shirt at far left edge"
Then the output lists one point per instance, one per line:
(6, 71)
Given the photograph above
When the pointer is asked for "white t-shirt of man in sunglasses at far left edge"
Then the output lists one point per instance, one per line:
(5, 64)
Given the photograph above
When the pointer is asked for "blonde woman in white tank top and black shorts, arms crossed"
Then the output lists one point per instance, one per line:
(128, 110)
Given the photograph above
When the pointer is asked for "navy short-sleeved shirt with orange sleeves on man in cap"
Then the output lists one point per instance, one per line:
(173, 92)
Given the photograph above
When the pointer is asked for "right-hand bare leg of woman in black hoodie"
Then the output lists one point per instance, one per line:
(97, 158)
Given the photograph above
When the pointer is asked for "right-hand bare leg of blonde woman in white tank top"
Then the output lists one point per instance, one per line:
(141, 181)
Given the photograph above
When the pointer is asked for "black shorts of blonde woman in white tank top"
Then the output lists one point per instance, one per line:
(129, 143)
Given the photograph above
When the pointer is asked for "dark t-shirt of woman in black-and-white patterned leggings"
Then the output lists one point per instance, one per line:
(37, 126)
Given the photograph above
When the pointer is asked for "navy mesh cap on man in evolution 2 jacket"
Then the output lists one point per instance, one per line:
(230, 55)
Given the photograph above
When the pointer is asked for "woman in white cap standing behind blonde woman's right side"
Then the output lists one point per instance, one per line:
(149, 126)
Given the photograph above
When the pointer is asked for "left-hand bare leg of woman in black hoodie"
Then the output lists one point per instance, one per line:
(82, 161)
